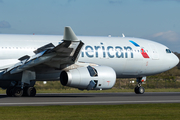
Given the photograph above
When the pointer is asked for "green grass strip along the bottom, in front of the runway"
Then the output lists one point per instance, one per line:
(93, 112)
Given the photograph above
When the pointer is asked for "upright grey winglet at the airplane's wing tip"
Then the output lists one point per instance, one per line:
(69, 34)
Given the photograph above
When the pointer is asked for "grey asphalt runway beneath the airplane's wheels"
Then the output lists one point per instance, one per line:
(91, 99)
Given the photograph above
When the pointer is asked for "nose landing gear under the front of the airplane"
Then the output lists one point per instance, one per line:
(139, 89)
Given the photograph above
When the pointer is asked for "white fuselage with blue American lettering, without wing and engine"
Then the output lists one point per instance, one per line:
(118, 53)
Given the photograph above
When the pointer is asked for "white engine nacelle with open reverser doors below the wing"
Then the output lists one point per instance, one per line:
(90, 78)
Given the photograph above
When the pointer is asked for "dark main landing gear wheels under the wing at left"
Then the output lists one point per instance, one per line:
(18, 91)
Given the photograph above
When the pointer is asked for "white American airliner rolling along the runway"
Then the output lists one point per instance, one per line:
(83, 62)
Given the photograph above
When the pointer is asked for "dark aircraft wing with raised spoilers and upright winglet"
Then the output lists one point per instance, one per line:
(65, 53)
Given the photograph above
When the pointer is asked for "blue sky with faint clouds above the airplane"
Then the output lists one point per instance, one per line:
(157, 20)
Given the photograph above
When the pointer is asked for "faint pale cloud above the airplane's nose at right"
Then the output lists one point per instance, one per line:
(167, 36)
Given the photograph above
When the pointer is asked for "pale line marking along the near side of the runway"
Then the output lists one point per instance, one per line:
(90, 102)
